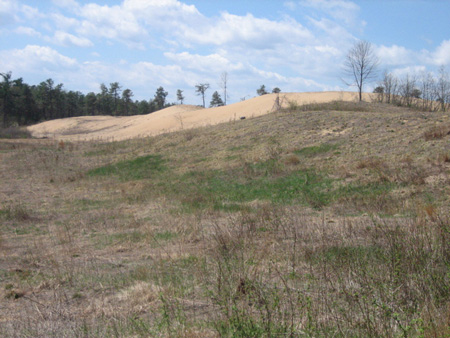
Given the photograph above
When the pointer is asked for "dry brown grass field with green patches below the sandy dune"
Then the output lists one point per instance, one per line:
(317, 220)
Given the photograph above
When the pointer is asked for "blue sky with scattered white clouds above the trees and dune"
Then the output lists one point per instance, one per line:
(143, 44)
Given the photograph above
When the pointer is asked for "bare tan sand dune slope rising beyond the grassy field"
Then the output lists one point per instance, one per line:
(178, 117)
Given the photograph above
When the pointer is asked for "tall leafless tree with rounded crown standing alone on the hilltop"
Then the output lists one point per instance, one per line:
(360, 65)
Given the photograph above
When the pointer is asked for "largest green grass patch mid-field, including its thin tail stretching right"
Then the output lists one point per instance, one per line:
(231, 190)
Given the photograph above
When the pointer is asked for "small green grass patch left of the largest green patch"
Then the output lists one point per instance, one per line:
(136, 169)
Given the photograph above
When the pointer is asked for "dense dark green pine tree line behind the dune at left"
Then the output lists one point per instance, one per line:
(24, 104)
